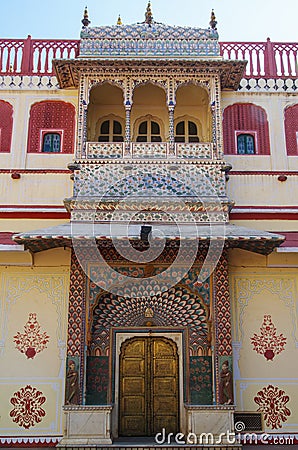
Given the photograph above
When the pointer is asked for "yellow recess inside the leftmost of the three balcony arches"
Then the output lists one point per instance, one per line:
(105, 103)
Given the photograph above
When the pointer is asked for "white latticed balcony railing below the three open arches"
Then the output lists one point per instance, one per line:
(156, 150)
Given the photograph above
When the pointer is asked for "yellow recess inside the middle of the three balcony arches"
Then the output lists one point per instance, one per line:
(149, 100)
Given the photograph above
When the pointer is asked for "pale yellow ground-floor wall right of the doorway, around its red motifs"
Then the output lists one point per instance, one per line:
(262, 286)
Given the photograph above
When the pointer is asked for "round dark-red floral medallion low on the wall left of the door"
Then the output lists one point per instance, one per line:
(27, 410)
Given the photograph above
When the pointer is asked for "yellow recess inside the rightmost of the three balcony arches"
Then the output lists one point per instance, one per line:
(193, 104)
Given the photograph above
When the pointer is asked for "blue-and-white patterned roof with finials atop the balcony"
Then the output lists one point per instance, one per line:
(148, 39)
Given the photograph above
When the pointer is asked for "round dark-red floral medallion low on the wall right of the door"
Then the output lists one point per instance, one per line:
(272, 403)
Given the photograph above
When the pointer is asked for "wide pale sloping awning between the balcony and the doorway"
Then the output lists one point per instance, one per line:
(82, 233)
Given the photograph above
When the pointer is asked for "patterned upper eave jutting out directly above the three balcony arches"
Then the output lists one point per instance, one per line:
(69, 71)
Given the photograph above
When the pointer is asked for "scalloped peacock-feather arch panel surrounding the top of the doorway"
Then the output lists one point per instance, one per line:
(186, 304)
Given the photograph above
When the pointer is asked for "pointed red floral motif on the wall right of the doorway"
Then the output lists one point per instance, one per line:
(267, 343)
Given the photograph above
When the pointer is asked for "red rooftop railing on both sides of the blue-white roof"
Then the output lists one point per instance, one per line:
(34, 56)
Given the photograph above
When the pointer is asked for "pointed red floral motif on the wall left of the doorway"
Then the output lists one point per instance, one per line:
(31, 341)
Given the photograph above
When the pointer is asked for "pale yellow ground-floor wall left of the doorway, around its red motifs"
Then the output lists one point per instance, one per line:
(41, 289)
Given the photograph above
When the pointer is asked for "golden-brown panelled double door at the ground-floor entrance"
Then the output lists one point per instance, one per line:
(149, 391)
